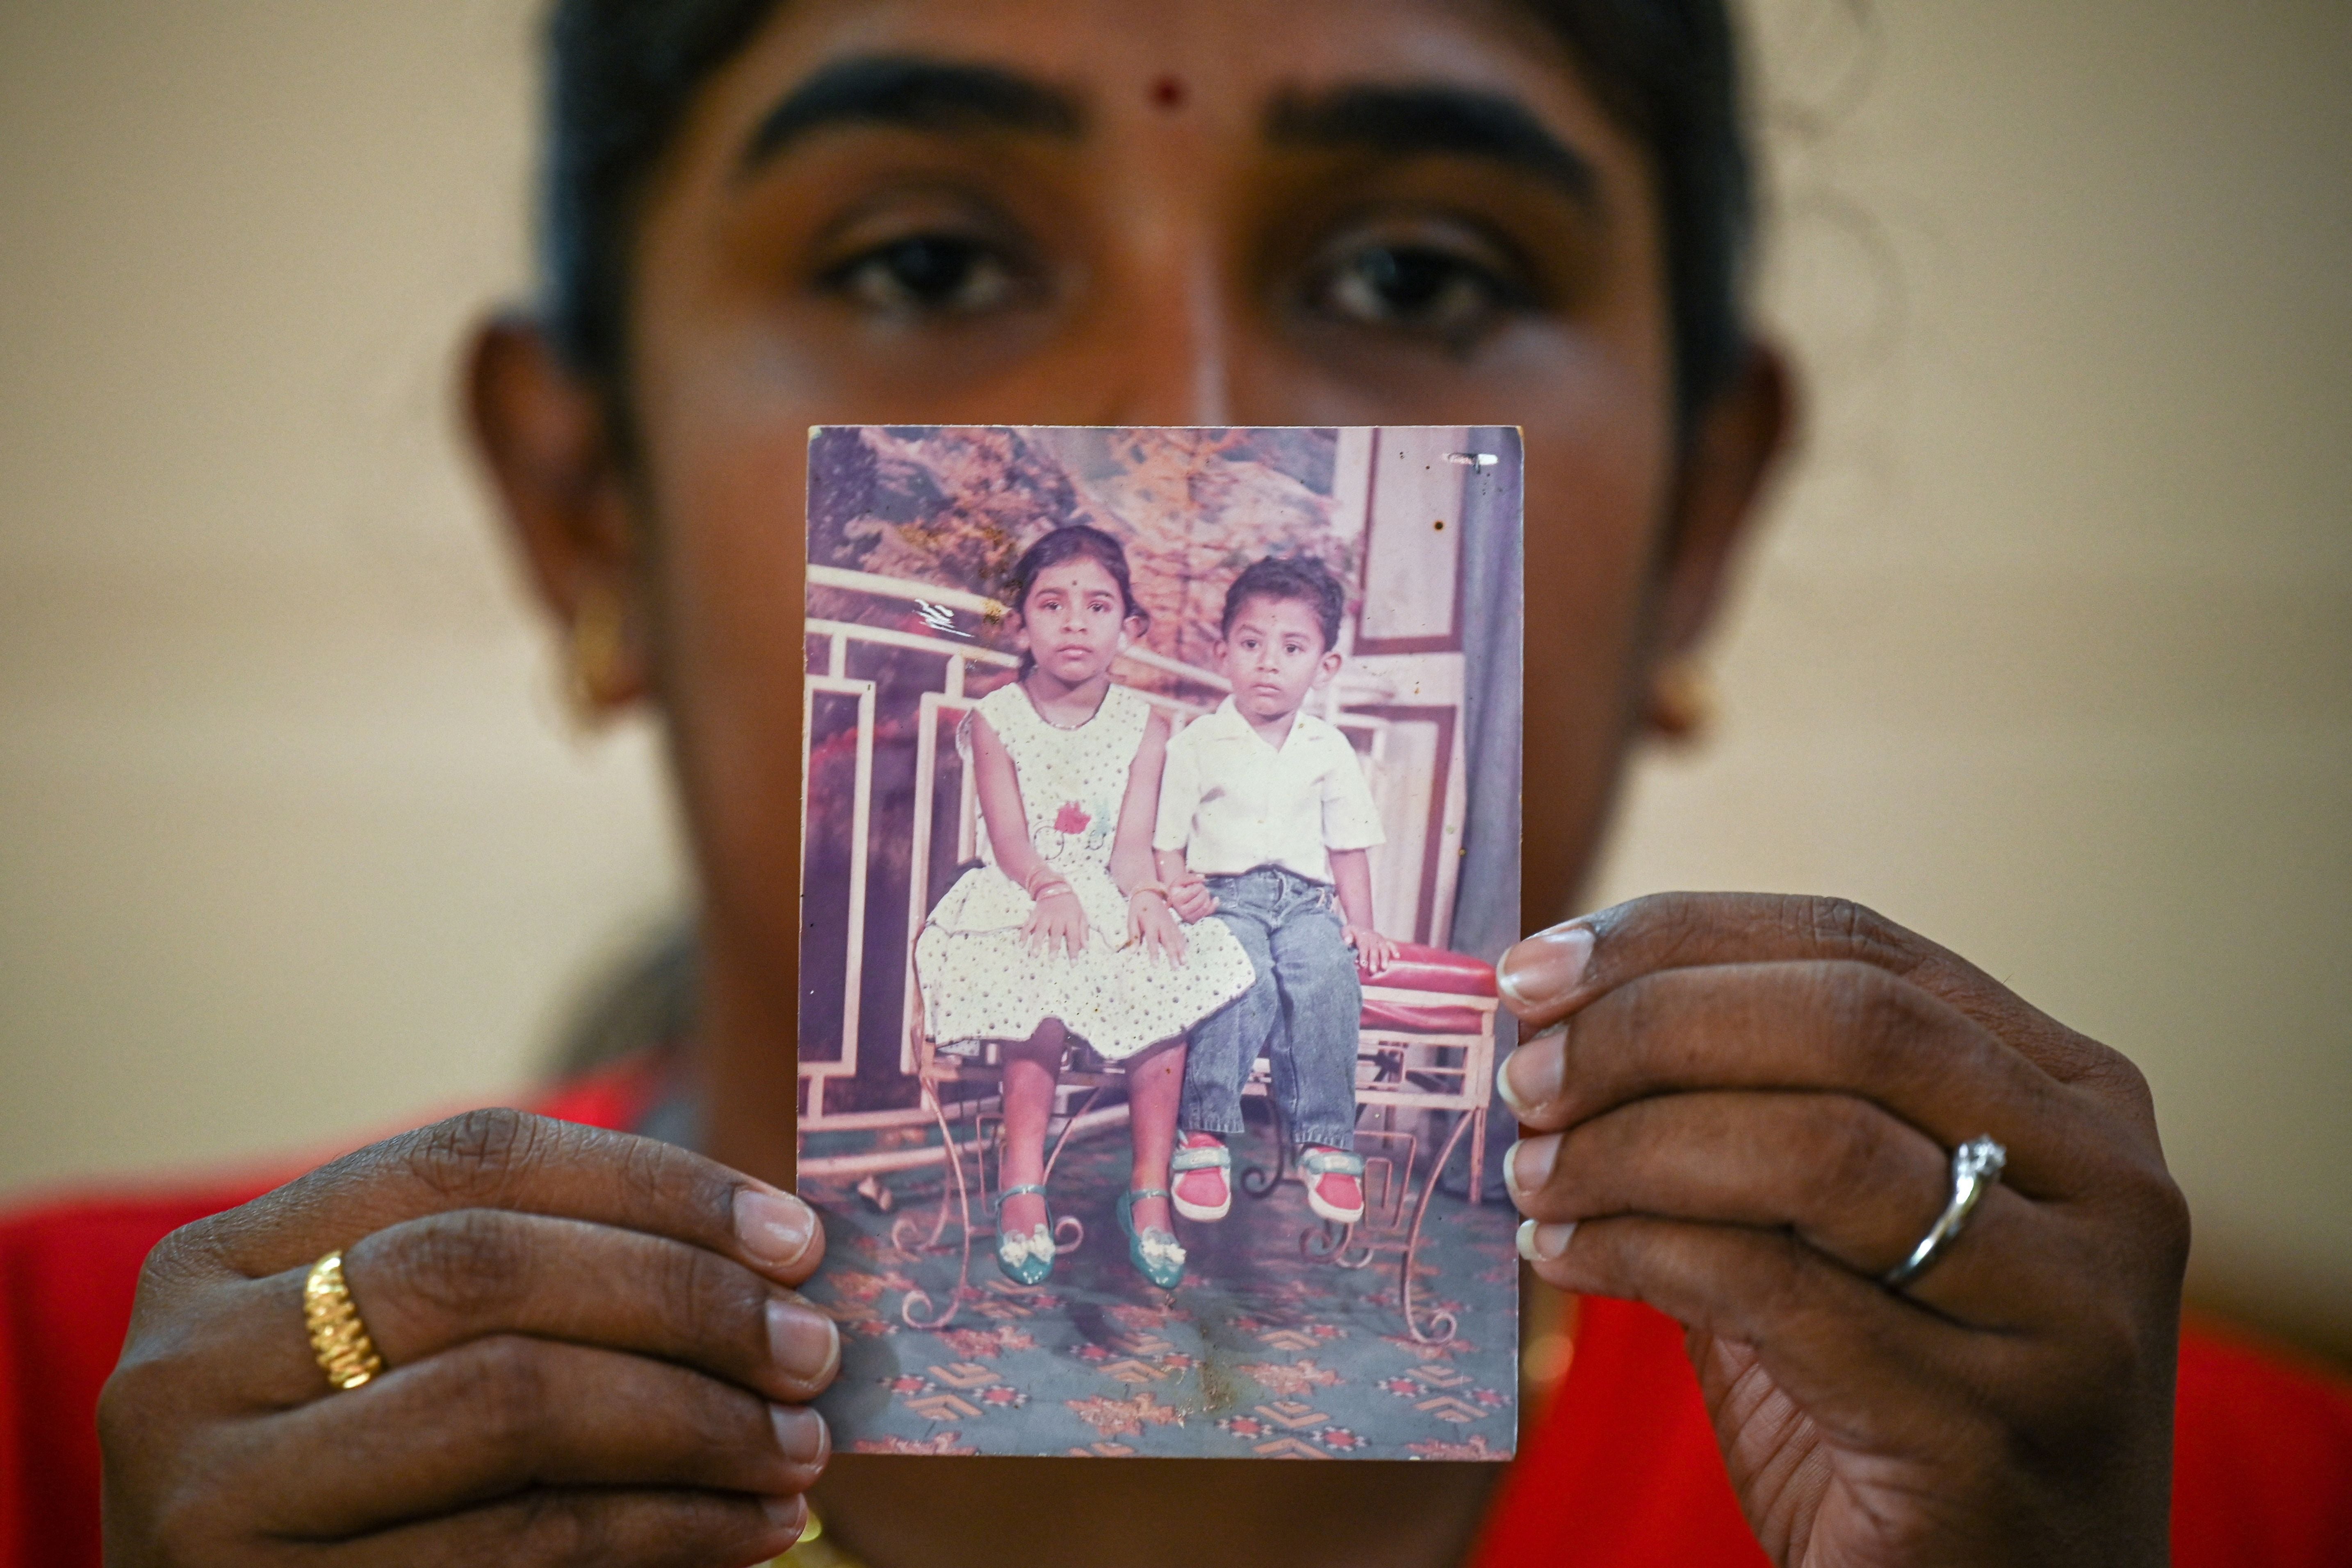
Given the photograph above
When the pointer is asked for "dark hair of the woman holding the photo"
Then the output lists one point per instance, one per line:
(622, 76)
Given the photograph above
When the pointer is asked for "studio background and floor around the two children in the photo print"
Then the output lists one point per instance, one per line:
(1290, 1336)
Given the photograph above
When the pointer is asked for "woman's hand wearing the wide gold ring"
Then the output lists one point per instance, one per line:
(594, 1355)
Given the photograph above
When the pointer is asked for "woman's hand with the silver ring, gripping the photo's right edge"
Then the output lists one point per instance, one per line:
(1746, 1115)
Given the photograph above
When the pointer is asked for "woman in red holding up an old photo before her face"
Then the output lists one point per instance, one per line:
(770, 215)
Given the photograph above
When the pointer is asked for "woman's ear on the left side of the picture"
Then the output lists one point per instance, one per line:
(549, 448)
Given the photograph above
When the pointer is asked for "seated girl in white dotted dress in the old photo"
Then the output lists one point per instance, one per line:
(1062, 932)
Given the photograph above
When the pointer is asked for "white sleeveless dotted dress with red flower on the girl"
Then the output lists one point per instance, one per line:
(980, 979)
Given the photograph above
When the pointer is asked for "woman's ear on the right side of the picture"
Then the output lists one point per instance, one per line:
(1718, 495)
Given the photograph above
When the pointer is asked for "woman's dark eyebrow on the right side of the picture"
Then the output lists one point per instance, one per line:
(1431, 119)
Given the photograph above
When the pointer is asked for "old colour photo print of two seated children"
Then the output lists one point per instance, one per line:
(1161, 833)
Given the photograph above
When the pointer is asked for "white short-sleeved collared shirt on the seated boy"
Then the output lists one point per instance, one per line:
(1231, 800)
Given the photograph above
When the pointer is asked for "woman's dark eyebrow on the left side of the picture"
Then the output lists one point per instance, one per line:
(914, 93)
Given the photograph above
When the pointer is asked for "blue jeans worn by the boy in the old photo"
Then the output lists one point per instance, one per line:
(1302, 1014)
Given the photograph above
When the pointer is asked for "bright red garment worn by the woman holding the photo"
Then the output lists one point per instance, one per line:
(1622, 1470)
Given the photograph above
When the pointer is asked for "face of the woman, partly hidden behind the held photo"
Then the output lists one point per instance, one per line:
(1220, 213)
